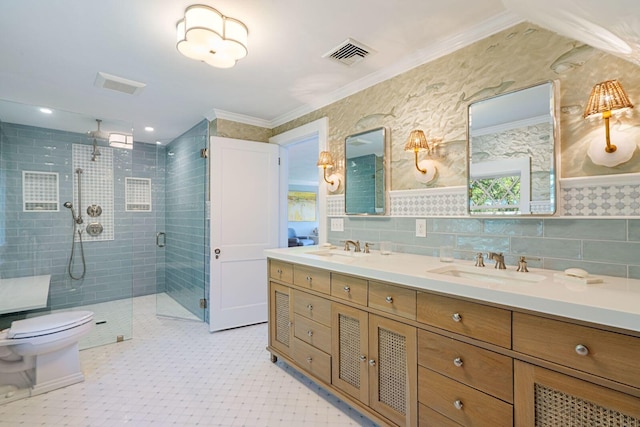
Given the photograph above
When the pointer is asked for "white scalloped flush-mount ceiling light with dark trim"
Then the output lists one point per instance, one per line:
(204, 34)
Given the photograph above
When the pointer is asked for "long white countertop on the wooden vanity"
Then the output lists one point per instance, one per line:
(614, 302)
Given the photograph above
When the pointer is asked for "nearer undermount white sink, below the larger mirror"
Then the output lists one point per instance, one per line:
(488, 275)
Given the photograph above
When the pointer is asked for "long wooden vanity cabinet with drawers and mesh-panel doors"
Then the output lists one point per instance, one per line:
(419, 358)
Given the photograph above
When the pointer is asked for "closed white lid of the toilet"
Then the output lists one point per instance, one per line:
(48, 324)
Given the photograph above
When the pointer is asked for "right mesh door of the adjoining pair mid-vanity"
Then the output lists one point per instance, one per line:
(393, 376)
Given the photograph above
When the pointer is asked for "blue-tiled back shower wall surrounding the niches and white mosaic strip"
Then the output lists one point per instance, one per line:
(33, 243)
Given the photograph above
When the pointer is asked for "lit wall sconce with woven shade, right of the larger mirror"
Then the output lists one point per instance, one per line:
(606, 97)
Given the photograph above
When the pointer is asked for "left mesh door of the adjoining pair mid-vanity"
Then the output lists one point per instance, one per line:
(350, 350)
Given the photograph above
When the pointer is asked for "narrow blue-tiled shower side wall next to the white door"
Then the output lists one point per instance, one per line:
(185, 222)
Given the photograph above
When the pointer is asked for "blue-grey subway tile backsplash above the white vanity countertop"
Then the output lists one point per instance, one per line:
(601, 246)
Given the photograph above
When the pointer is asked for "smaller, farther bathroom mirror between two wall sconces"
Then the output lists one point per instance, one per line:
(366, 176)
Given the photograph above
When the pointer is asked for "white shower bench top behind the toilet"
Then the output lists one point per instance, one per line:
(24, 293)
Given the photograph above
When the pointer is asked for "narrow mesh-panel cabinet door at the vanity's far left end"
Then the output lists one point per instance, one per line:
(280, 318)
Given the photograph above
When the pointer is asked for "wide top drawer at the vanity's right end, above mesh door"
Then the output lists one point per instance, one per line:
(606, 354)
